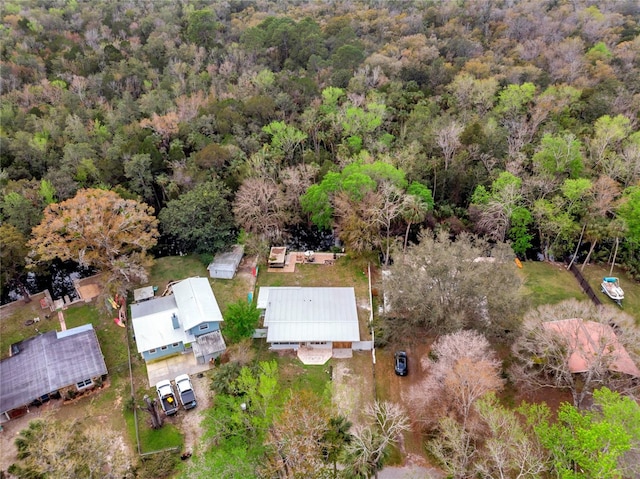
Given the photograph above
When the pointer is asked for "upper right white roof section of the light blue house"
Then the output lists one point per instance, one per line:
(196, 302)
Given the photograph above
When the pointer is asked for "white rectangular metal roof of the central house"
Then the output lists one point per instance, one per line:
(311, 315)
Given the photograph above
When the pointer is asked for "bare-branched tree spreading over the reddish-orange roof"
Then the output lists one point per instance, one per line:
(548, 350)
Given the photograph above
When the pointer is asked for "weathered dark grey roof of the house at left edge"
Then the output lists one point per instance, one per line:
(48, 362)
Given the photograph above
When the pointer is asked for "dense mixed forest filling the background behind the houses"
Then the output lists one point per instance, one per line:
(520, 119)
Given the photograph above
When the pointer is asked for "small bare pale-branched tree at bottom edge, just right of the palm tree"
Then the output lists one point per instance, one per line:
(369, 444)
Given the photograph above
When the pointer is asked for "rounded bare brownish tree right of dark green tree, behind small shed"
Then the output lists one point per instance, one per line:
(260, 208)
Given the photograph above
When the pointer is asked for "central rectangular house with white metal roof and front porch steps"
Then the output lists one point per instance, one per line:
(323, 319)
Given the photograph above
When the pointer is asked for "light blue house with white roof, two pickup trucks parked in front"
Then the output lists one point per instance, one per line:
(185, 321)
